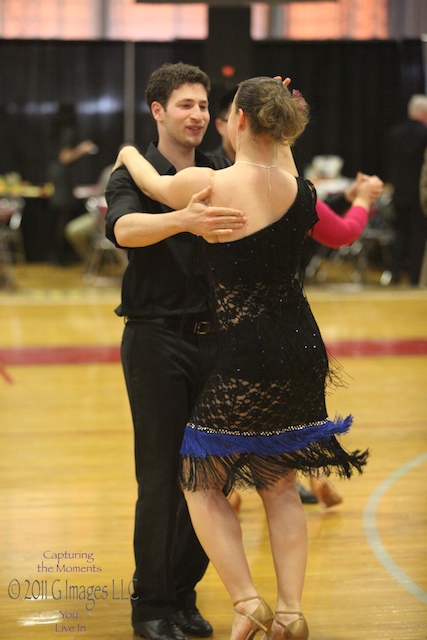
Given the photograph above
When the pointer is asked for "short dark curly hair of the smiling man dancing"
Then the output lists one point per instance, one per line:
(169, 77)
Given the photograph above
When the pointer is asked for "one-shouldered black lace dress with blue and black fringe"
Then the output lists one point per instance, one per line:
(262, 411)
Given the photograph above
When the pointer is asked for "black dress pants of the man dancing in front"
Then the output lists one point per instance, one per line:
(164, 373)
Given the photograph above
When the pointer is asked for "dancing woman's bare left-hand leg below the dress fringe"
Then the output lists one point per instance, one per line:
(218, 528)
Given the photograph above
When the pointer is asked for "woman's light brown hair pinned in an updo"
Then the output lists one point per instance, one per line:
(272, 109)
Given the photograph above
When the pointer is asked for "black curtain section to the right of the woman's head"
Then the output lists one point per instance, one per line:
(355, 91)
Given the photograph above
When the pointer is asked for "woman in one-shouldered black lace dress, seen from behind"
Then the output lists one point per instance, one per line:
(261, 416)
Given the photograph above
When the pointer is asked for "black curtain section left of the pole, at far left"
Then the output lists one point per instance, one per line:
(35, 77)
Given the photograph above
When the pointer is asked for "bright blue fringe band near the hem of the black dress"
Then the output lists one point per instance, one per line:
(201, 443)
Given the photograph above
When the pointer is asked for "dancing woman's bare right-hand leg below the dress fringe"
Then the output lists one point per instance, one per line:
(288, 537)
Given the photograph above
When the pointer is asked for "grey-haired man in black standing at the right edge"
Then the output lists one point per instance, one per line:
(407, 142)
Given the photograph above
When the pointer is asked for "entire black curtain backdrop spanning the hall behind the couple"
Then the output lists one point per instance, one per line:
(356, 91)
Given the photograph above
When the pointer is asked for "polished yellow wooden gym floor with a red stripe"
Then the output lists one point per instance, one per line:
(67, 488)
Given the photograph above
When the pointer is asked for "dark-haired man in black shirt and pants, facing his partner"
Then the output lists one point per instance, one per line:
(167, 351)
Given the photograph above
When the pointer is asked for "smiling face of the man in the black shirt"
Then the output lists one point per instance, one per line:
(185, 119)
